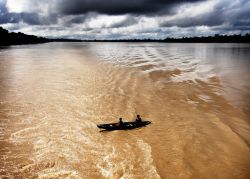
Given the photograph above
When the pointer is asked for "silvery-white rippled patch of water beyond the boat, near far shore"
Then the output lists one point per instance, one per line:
(155, 59)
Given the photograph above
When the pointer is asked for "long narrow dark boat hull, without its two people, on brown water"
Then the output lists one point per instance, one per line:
(124, 126)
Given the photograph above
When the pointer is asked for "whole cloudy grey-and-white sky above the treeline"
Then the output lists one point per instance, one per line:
(125, 19)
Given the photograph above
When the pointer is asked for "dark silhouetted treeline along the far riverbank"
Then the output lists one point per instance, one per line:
(11, 38)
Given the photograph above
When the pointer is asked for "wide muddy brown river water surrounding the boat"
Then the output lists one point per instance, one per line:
(196, 95)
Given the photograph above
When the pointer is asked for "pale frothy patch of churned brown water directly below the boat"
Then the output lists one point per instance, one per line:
(111, 164)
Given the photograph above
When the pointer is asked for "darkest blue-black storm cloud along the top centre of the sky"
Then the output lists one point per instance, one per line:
(116, 7)
